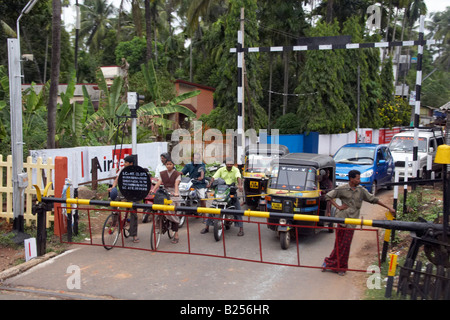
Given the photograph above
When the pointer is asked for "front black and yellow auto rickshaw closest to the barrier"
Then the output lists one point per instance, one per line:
(298, 186)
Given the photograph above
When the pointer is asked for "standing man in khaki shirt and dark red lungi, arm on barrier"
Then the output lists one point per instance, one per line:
(351, 195)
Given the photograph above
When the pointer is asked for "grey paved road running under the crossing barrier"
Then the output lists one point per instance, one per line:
(91, 272)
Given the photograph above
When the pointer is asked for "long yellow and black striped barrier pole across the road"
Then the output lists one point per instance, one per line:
(385, 224)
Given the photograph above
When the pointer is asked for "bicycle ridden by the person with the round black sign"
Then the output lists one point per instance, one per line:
(112, 228)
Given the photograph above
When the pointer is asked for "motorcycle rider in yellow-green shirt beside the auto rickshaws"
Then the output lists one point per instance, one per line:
(230, 174)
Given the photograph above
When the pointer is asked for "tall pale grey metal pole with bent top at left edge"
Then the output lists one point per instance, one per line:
(19, 178)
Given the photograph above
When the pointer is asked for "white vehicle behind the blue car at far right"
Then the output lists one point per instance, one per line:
(401, 147)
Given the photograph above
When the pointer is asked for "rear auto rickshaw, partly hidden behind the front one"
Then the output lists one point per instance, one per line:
(258, 160)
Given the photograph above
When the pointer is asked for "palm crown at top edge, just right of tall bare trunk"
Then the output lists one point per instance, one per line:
(95, 22)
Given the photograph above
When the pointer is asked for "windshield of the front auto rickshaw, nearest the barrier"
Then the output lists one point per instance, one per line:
(294, 178)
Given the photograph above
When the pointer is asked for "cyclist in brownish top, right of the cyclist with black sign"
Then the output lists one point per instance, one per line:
(171, 179)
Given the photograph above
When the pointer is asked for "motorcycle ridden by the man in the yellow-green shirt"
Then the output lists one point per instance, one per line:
(224, 197)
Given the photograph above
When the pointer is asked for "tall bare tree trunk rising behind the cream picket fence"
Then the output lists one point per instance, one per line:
(54, 77)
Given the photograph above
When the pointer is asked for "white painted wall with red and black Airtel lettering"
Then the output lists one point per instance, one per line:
(79, 159)
